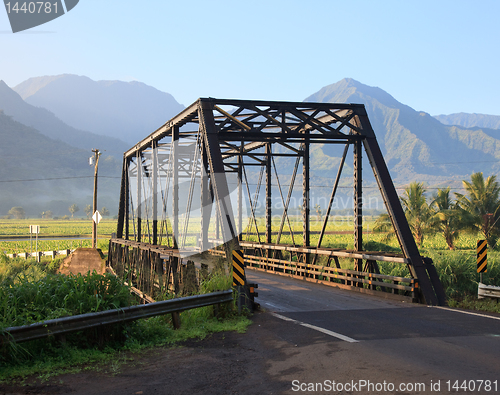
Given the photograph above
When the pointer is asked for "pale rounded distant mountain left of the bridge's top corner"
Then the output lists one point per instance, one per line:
(128, 111)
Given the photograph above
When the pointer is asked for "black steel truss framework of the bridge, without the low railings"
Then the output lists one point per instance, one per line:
(215, 137)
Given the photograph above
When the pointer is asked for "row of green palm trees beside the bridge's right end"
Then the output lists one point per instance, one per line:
(477, 210)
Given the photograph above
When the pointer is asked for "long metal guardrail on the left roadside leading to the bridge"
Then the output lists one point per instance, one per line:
(75, 323)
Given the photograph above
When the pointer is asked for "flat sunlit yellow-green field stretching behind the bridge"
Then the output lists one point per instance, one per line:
(80, 227)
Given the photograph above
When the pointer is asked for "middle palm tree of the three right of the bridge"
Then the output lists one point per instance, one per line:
(447, 217)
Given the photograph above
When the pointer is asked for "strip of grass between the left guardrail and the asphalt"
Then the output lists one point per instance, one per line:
(56, 358)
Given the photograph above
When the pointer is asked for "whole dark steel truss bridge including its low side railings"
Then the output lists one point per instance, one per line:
(194, 185)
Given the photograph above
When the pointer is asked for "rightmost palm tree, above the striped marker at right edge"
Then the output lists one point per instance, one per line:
(480, 206)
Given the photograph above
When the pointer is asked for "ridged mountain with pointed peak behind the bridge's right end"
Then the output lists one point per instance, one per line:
(415, 145)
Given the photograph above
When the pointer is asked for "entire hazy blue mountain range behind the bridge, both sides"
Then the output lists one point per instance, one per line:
(49, 125)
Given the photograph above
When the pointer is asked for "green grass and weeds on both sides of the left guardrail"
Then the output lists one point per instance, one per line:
(30, 292)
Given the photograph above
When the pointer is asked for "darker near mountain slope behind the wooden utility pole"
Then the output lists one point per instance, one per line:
(41, 174)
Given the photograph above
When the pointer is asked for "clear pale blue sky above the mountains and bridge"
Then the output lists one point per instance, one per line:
(440, 57)
